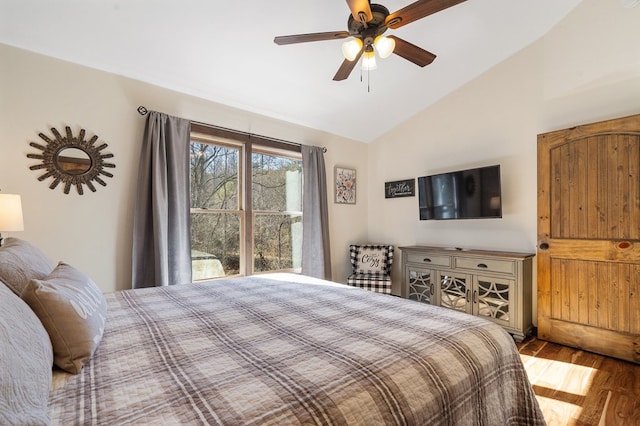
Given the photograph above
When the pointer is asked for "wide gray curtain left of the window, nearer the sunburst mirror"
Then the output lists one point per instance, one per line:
(162, 224)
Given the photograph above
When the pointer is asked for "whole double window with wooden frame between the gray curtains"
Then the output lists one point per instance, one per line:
(246, 207)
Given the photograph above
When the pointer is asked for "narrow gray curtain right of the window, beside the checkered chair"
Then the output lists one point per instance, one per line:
(316, 253)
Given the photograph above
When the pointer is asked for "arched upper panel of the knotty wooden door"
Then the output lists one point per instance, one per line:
(594, 187)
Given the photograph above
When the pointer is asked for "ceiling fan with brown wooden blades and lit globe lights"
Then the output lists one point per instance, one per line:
(366, 25)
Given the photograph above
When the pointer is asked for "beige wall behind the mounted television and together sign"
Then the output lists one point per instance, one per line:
(586, 69)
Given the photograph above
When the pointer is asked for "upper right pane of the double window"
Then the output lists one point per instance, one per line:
(276, 183)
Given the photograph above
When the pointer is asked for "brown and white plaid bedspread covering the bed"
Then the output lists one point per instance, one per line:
(261, 351)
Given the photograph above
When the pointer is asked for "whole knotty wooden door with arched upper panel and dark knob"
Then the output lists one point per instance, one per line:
(589, 237)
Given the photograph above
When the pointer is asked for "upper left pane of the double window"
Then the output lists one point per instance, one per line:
(214, 177)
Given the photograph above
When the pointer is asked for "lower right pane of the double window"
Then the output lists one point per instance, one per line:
(277, 242)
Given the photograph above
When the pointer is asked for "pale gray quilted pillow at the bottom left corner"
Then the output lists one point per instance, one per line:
(26, 358)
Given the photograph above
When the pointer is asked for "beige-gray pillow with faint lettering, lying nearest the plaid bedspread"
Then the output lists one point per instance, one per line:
(73, 310)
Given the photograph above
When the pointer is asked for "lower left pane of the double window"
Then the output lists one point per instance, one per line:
(215, 245)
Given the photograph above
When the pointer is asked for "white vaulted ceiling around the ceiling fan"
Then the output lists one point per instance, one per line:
(224, 51)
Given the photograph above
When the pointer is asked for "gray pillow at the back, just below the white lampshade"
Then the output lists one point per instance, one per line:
(20, 262)
